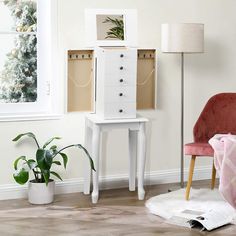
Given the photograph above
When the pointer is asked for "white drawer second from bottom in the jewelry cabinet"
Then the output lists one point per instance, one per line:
(120, 94)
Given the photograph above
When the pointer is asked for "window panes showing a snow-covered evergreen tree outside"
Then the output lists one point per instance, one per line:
(18, 52)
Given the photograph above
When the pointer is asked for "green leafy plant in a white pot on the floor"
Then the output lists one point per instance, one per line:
(41, 188)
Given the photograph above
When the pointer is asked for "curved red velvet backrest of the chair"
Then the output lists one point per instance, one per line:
(217, 117)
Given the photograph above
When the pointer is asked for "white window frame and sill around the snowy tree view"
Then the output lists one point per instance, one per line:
(46, 106)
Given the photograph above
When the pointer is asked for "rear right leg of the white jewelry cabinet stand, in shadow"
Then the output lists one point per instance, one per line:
(132, 158)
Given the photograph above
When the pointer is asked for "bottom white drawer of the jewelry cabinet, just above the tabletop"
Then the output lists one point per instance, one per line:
(120, 110)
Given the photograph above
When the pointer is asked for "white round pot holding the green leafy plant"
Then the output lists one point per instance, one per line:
(39, 193)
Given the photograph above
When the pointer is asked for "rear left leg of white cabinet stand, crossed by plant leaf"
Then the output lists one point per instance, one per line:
(87, 168)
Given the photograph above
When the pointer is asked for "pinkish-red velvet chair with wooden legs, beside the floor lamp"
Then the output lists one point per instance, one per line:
(217, 117)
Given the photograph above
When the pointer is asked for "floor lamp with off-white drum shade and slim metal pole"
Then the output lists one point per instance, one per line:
(182, 38)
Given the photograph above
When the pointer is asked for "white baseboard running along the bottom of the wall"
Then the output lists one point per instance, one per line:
(14, 191)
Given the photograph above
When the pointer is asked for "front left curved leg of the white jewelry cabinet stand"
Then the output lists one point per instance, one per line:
(95, 156)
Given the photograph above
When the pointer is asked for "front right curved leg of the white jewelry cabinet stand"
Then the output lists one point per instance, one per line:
(141, 160)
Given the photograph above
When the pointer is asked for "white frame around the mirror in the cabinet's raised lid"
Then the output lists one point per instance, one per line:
(92, 31)
